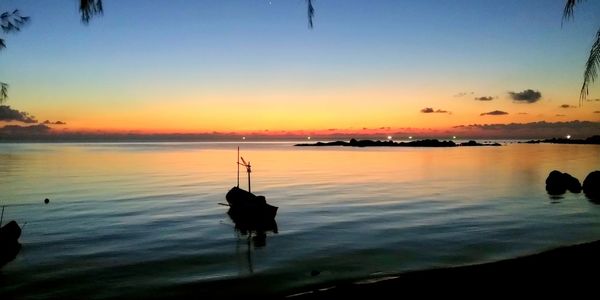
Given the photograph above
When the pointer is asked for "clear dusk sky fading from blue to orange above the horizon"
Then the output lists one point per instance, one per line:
(254, 66)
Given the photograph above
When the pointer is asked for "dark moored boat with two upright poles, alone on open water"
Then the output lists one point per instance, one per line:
(246, 207)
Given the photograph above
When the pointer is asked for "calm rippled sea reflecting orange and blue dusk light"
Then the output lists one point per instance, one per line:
(143, 220)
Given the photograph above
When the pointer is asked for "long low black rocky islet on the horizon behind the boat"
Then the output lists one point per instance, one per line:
(419, 143)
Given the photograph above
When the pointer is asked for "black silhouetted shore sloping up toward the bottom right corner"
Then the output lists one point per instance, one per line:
(564, 269)
